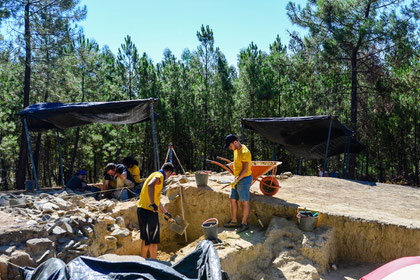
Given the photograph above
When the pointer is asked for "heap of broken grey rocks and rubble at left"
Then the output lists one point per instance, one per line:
(35, 227)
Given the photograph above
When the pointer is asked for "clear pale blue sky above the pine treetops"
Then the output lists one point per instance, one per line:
(160, 24)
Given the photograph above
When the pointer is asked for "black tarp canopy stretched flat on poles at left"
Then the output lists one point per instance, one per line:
(43, 116)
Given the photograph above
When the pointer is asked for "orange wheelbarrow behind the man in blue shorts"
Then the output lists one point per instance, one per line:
(269, 185)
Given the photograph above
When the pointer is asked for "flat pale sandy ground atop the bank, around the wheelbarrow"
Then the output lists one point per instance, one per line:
(386, 203)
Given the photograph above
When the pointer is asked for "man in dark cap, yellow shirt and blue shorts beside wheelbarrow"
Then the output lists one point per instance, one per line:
(242, 183)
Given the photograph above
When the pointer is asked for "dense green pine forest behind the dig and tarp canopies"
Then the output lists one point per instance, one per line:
(359, 61)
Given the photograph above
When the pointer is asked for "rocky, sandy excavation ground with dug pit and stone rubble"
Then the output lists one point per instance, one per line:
(359, 226)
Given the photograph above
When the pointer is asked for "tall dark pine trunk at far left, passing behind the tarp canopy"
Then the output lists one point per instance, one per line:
(23, 151)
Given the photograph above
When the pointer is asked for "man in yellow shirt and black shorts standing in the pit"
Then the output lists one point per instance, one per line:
(148, 207)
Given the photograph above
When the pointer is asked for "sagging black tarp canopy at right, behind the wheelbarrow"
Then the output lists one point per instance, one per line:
(306, 137)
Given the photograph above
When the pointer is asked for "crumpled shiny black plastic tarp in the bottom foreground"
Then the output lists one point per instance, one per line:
(202, 264)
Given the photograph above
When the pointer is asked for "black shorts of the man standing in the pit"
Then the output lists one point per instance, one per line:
(149, 226)
